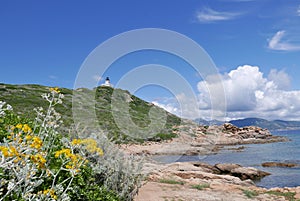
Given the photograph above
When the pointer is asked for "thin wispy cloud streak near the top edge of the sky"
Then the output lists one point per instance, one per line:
(208, 15)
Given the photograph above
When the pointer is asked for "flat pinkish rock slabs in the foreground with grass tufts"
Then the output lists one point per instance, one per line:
(194, 181)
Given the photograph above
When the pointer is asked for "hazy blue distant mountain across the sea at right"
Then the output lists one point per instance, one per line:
(263, 123)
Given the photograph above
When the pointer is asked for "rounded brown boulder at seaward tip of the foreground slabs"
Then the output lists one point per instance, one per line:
(248, 173)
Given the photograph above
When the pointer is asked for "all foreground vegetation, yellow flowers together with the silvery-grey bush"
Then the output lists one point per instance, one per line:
(40, 162)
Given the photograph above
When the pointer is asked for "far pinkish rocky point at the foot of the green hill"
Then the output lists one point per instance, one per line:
(203, 140)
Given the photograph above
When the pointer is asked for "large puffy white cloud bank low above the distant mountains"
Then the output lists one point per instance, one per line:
(248, 93)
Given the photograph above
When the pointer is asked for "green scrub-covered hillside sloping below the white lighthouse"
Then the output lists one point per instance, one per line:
(24, 98)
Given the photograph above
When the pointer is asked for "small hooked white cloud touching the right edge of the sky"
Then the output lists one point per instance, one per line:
(276, 43)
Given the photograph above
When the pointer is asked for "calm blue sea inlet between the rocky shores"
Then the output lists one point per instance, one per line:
(253, 155)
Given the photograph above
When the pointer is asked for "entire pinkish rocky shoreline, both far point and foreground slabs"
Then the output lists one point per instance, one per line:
(193, 181)
